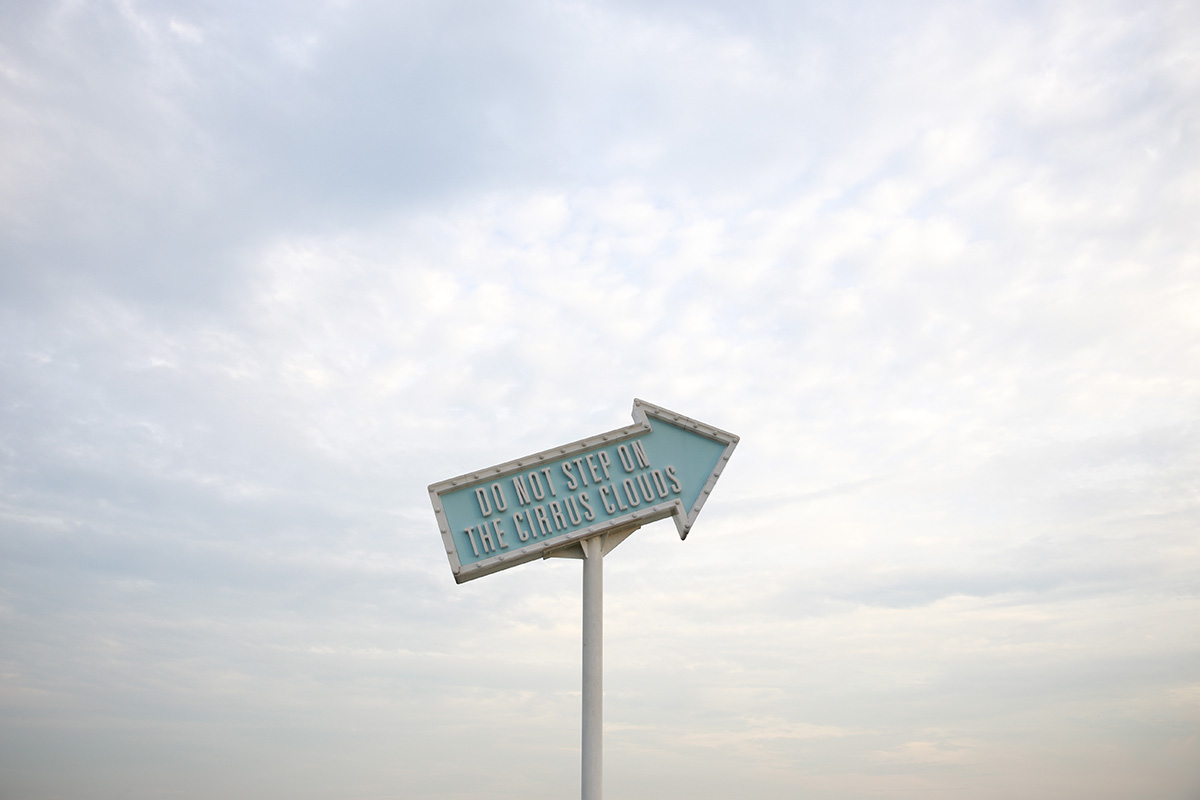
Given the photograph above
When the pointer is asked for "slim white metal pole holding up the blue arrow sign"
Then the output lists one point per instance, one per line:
(593, 669)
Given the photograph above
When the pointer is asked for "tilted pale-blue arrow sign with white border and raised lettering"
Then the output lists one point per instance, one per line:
(663, 466)
